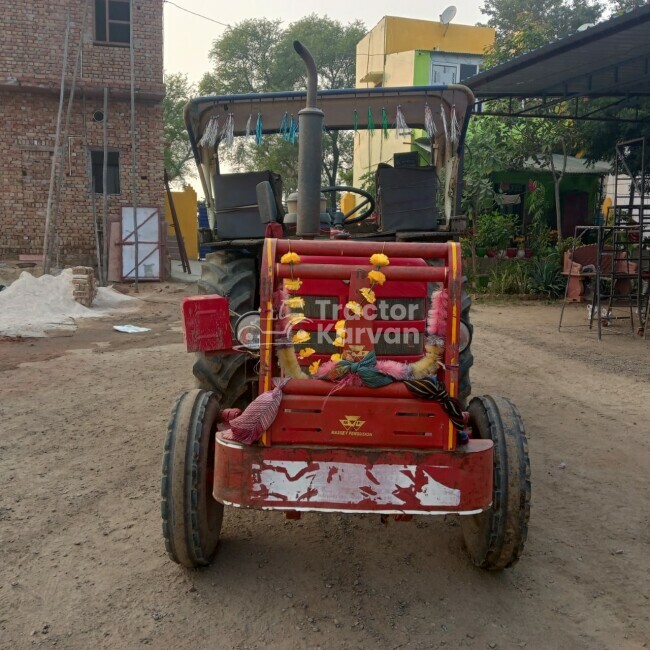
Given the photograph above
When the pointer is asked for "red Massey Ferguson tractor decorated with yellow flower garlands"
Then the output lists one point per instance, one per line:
(333, 359)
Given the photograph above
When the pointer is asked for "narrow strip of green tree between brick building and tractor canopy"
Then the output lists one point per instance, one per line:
(178, 152)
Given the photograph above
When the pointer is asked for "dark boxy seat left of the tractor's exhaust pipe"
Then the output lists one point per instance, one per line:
(236, 204)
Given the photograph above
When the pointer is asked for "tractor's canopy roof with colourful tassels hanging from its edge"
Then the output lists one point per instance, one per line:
(344, 109)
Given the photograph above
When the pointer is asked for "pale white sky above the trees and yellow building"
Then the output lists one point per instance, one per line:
(188, 38)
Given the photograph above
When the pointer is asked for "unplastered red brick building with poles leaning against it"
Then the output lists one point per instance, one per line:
(31, 60)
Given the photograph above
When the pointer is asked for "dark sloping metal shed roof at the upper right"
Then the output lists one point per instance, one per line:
(611, 59)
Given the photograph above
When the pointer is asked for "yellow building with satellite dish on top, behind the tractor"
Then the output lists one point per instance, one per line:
(410, 52)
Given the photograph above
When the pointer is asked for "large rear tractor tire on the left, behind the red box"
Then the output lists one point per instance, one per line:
(232, 274)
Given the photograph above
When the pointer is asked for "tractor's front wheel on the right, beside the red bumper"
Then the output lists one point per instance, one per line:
(495, 538)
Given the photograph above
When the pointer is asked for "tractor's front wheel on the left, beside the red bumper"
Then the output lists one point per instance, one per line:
(191, 516)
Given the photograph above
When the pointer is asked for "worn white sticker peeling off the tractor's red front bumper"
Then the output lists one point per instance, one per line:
(305, 482)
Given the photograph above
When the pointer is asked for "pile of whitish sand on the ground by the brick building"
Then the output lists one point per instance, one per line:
(32, 306)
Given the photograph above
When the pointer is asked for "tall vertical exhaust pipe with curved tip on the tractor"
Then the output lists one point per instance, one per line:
(310, 152)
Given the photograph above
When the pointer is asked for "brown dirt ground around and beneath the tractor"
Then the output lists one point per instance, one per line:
(82, 560)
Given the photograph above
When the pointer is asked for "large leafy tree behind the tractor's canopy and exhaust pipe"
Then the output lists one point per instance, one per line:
(257, 56)
